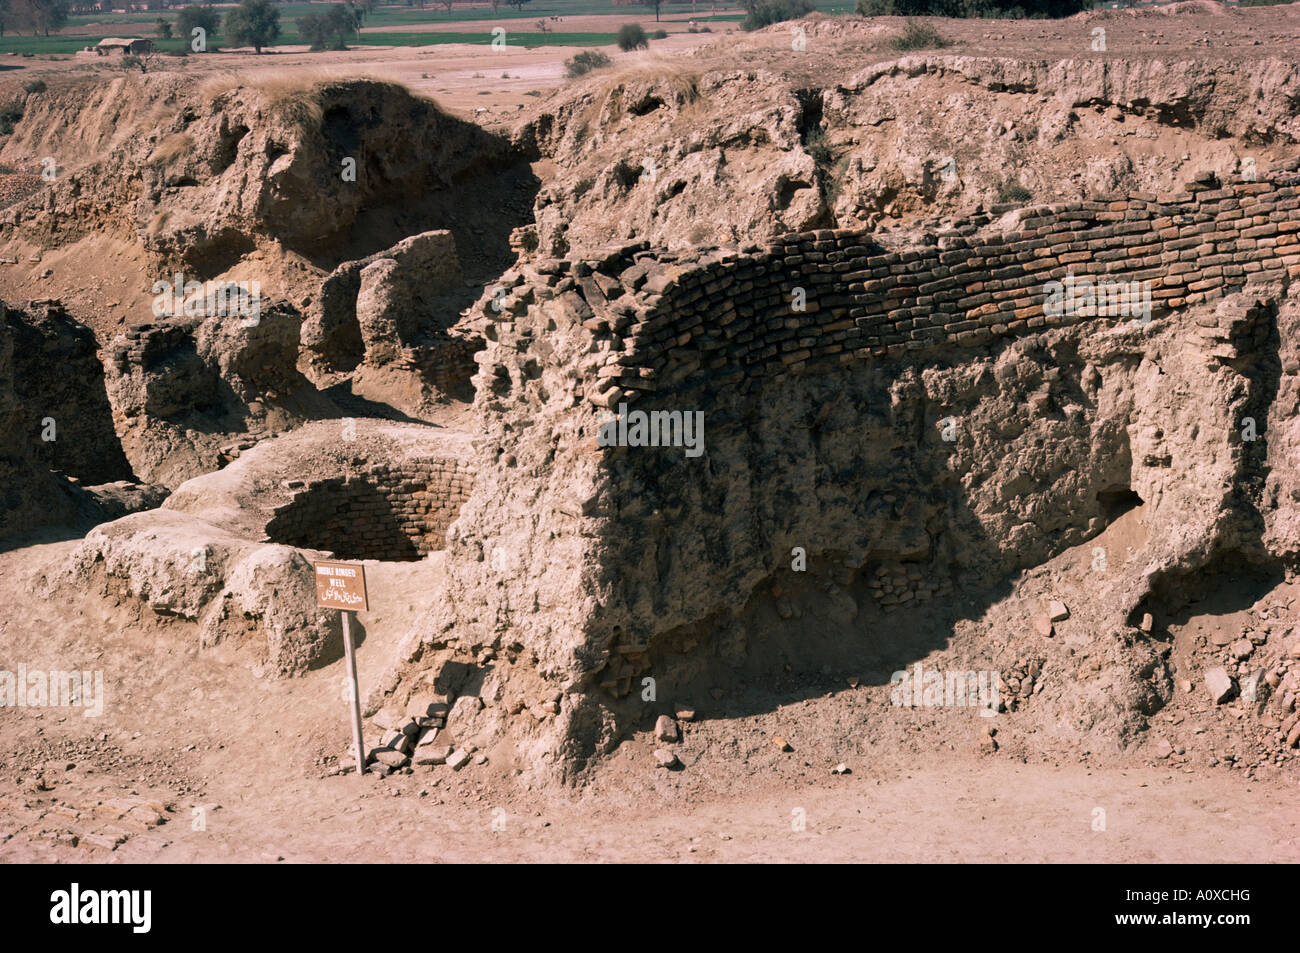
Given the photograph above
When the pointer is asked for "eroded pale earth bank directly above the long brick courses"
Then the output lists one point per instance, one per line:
(640, 155)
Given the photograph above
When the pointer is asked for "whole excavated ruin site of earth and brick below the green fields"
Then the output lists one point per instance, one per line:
(740, 430)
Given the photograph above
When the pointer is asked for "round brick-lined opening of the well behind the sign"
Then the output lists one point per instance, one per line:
(393, 513)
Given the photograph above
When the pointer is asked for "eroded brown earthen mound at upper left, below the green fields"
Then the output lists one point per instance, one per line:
(205, 174)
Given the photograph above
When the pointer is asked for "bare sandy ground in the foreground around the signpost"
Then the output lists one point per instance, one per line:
(196, 760)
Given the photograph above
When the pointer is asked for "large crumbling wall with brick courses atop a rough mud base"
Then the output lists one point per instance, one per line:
(928, 419)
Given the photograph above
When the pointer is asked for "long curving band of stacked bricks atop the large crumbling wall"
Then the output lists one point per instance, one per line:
(738, 315)
